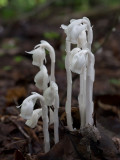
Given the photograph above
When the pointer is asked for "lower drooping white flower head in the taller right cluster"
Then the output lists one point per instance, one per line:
(78, 60)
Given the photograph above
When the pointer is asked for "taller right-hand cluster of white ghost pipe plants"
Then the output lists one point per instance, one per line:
(80, 60)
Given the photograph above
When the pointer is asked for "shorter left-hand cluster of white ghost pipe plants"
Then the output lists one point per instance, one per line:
(50, 95)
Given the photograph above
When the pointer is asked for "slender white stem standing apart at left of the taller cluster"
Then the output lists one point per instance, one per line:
(69, 88)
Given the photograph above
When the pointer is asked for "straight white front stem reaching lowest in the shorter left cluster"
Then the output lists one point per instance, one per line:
(45, 128)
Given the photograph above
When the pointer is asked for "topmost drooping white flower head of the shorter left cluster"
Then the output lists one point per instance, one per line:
(38, 56)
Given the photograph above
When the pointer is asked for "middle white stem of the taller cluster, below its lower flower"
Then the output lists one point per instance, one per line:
(82, 98)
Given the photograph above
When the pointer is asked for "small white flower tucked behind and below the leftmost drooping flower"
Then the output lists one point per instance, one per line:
(32, 122)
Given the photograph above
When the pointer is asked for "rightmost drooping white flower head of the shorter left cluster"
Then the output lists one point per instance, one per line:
(50, 94)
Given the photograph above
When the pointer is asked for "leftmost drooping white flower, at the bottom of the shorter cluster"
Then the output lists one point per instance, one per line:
(28, 105)
